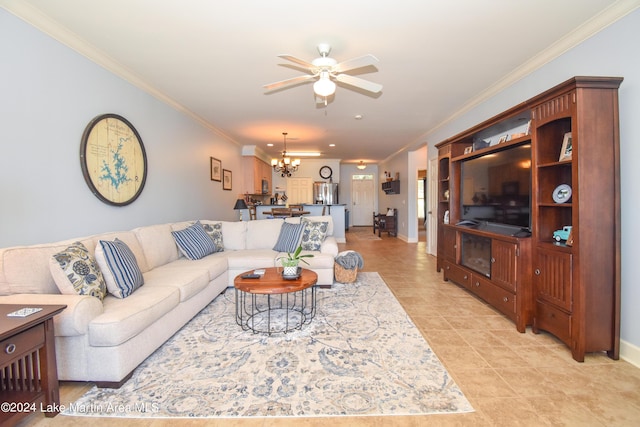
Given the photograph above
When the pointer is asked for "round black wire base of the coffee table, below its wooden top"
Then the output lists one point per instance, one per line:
(275, 313)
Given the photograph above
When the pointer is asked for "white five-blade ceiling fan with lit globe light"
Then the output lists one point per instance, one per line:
(324, 70)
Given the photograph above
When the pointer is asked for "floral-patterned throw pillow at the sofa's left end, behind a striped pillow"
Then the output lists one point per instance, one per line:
(75, 271)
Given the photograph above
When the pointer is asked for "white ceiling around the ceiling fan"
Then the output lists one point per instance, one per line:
(211, 58)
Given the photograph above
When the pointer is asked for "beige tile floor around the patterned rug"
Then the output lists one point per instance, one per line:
(511, 379)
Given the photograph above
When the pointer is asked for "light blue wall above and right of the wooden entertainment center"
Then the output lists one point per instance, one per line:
(611, 52)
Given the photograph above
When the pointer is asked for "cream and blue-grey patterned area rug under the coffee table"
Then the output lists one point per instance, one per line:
(361, 355)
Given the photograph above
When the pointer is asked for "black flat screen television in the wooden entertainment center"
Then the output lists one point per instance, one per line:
(496, 187)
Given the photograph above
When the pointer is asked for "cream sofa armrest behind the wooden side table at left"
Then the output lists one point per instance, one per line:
(73, 320)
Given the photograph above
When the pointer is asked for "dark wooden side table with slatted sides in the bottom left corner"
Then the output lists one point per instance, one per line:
(28, 372)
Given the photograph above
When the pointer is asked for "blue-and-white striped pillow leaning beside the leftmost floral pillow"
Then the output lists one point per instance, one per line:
(119, 267)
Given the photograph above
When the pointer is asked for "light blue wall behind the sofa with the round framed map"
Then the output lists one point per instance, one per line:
(48, 94)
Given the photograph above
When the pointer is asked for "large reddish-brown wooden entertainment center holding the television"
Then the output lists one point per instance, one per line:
(569, 287)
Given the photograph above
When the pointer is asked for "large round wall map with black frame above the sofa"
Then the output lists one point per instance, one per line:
(113, 159)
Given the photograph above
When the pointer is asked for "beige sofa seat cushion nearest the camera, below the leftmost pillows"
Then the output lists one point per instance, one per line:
(125, 318)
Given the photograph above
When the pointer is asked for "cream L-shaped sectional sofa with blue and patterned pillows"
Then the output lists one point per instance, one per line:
(103, 338)
